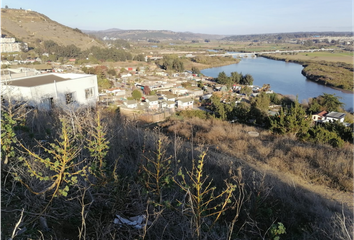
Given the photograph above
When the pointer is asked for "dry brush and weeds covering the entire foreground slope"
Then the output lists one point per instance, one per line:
(192, 179)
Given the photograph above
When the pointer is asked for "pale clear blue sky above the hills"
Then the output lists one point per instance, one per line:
(225, 17)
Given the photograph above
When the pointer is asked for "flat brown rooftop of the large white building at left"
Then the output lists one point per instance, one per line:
(37, 80)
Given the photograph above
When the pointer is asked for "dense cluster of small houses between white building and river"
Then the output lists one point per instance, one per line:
(169, 93)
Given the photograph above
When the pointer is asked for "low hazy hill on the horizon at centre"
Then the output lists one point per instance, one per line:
(161, 35)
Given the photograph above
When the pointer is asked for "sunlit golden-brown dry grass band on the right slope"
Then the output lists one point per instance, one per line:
(320, 164)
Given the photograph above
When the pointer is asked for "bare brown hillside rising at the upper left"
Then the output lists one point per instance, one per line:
(33, 27)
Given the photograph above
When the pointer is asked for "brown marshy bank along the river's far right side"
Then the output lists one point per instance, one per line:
(338, 76)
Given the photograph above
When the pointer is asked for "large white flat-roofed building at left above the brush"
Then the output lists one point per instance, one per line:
(53, 89)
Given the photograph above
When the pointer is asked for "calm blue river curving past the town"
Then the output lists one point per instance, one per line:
(284, 78)
